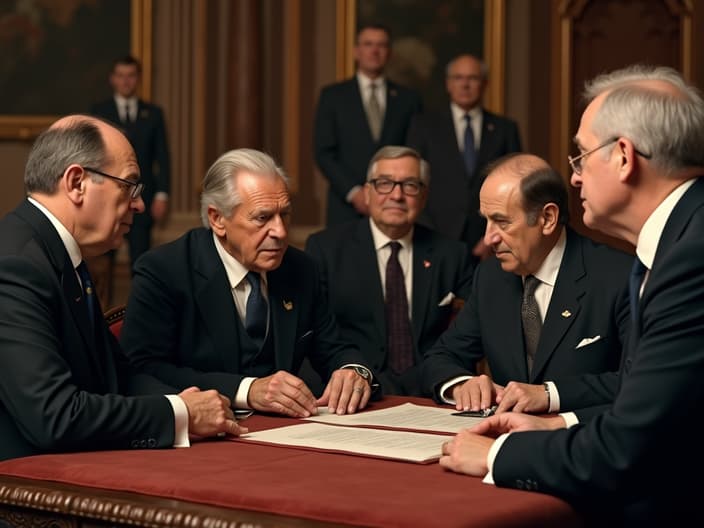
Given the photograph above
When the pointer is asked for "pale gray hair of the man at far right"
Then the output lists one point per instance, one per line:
(668, 127)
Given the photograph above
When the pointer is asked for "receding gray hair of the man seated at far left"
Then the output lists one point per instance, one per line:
(79, 142)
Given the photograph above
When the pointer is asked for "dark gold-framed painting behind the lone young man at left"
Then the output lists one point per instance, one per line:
(55, 57)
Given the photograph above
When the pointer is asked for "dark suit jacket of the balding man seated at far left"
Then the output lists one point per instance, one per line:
(61, 389)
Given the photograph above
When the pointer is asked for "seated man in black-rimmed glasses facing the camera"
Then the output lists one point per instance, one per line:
(354, 260)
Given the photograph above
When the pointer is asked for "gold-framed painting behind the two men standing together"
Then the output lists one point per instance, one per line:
(426, 35)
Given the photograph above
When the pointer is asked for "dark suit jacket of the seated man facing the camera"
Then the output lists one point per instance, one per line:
(350, 276)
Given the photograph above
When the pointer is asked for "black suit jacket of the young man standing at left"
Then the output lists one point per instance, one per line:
(147, 136)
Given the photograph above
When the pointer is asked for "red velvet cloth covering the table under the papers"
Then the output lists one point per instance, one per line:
(307, 484)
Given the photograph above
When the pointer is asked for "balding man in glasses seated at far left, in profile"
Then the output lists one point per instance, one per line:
(66, 386)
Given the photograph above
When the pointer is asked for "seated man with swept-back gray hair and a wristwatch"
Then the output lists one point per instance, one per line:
(231, 306)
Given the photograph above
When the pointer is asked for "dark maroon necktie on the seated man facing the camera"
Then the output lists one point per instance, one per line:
(398, 327)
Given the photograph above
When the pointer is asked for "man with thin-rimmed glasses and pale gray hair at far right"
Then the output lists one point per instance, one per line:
(639, 171)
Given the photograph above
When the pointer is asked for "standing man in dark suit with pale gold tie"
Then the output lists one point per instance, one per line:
(356, 117)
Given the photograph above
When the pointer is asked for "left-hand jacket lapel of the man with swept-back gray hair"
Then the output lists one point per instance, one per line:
(214, 300)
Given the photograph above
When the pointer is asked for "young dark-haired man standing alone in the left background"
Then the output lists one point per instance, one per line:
(143, 123)
